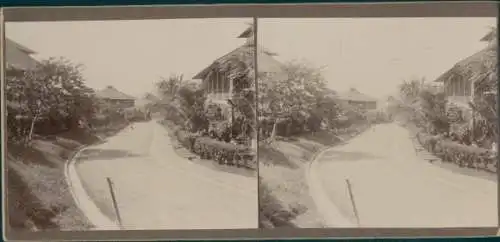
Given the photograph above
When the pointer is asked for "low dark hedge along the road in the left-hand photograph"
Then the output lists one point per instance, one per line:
(222, 152)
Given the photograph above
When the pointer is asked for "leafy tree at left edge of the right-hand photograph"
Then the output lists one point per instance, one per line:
(298, 98)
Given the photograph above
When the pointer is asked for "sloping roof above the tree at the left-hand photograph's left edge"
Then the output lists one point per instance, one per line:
(18, 56)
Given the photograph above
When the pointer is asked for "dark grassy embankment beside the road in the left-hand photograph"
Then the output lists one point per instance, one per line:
(38, 197)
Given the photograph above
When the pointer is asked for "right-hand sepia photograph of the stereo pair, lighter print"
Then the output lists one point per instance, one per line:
(377, 122)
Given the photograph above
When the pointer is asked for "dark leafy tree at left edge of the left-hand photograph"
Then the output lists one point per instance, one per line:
(54, 92)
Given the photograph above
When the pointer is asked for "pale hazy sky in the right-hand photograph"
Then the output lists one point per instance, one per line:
(375, 55)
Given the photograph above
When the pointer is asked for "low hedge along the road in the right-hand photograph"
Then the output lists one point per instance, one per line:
(462, 155)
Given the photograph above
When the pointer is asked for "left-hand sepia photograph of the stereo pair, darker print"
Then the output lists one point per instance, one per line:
(130, 125)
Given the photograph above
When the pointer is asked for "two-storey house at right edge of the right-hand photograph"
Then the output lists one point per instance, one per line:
(459, 82)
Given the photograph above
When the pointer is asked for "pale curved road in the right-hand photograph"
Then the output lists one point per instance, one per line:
(393, 187)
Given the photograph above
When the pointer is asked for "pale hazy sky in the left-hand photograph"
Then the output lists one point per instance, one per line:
(131, 55)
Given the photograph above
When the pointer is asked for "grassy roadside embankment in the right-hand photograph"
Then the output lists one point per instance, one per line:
(283, 190)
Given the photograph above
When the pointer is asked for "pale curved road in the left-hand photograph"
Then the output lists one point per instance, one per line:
(158, 189)
